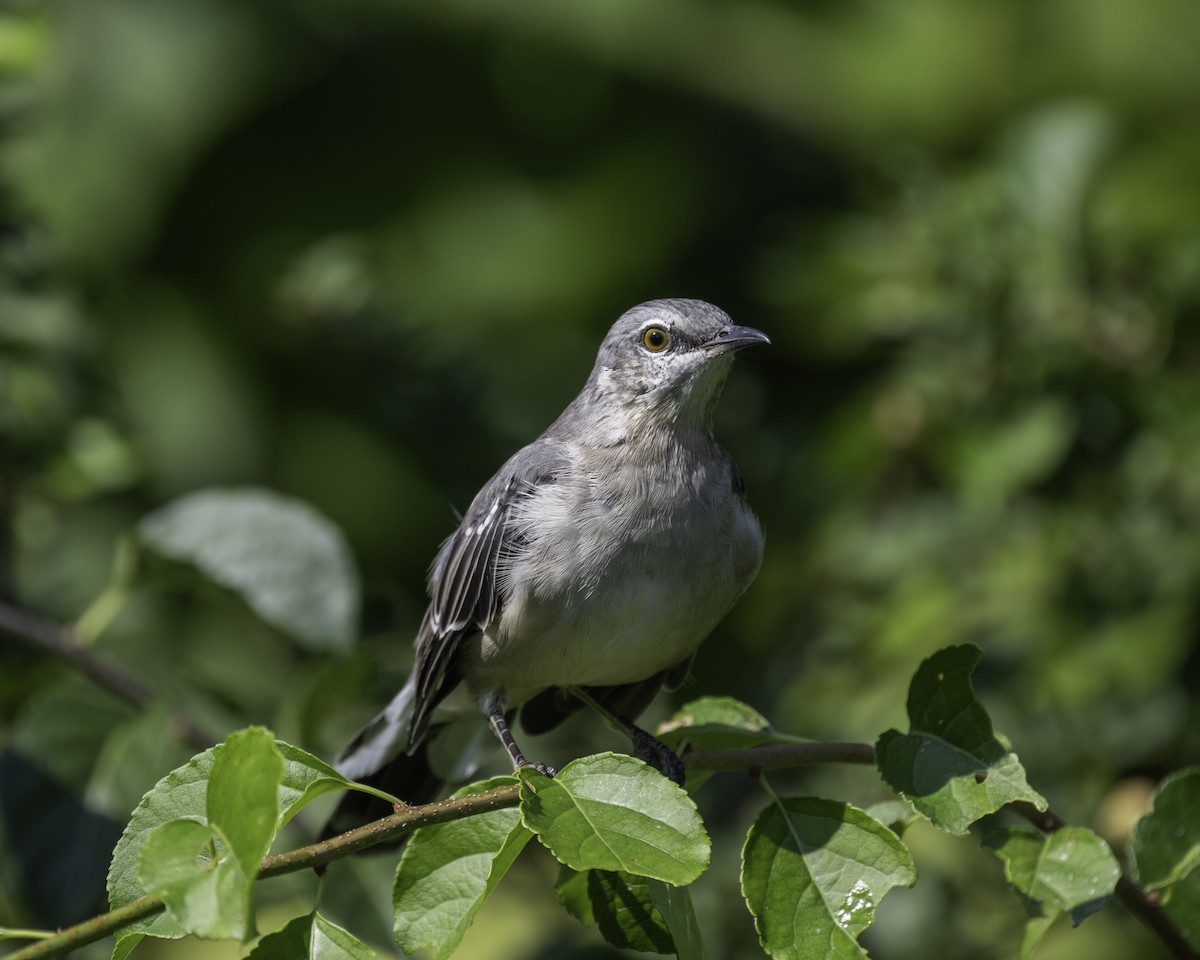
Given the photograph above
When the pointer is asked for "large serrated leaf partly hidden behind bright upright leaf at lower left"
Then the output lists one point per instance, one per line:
(184, 793)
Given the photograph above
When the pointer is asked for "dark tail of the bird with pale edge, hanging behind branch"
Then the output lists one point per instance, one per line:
(380, 757)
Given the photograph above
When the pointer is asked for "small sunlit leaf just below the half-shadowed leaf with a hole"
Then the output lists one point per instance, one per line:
(1071, 871)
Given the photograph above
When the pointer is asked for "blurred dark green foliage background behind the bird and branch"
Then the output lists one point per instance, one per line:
(359, 253)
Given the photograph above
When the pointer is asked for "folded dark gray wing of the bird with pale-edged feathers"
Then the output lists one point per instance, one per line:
(466, 589)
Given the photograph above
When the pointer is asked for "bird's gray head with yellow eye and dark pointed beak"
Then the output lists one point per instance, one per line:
(668, 361)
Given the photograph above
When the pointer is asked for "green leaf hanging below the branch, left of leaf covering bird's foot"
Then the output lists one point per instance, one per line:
(449, 869)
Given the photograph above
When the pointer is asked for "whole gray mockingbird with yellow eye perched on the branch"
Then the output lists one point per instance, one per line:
(591, 567)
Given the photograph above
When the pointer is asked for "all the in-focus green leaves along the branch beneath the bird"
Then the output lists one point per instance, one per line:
(631, 843)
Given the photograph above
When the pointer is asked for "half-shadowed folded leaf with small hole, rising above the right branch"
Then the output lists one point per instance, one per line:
(951, 766)
